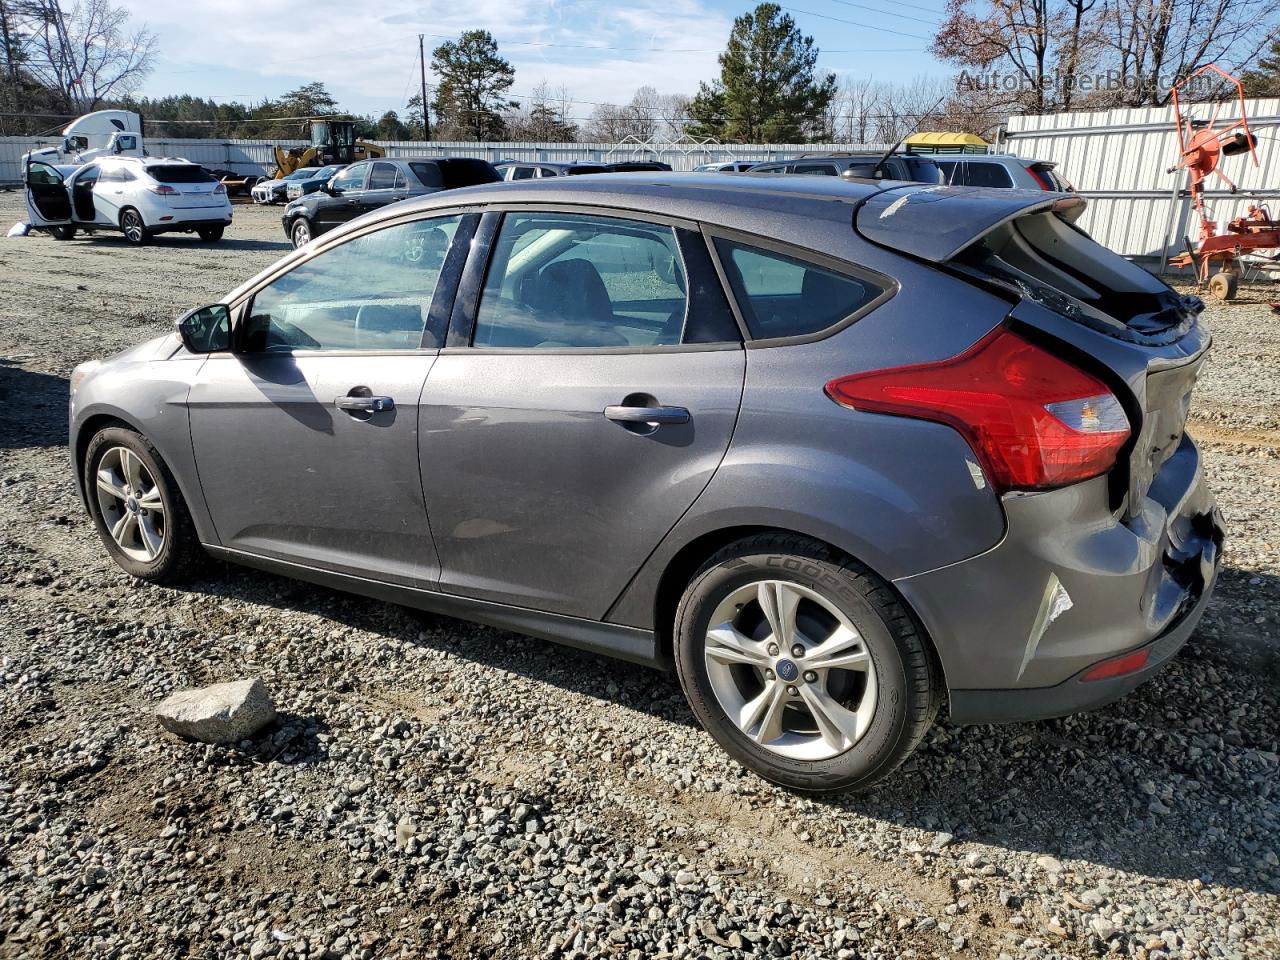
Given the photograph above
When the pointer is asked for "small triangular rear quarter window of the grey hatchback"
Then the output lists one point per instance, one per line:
(781, 296)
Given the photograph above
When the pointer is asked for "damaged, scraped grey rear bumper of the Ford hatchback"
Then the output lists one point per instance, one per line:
(1071, 586)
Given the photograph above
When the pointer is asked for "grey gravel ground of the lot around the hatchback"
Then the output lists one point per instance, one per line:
(437, 789)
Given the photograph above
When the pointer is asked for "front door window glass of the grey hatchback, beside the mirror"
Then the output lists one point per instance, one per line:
(369, 295)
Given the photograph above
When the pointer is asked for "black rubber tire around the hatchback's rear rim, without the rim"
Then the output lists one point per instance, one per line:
(876, 751)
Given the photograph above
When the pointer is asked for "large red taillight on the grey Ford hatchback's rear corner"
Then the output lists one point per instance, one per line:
(1035, 420)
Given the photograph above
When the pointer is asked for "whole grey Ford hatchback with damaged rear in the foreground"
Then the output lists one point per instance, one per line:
(836, 451)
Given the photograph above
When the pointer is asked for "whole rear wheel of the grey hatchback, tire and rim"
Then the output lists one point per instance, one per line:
(804, 665)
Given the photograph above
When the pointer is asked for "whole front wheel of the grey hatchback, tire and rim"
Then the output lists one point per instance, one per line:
(138, 509)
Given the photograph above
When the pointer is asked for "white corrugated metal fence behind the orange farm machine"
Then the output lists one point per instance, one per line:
(1121, 159)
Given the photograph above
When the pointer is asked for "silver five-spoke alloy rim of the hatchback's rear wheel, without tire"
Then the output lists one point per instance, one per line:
(790, 670)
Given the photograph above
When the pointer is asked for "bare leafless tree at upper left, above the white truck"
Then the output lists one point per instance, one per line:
(85, 54)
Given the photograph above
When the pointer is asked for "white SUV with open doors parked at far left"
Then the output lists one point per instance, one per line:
(138, 196)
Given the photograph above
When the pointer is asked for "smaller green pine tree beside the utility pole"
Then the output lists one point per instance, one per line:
(473, 84)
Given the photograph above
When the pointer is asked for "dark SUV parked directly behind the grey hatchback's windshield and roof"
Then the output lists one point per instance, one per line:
(373, 184)
